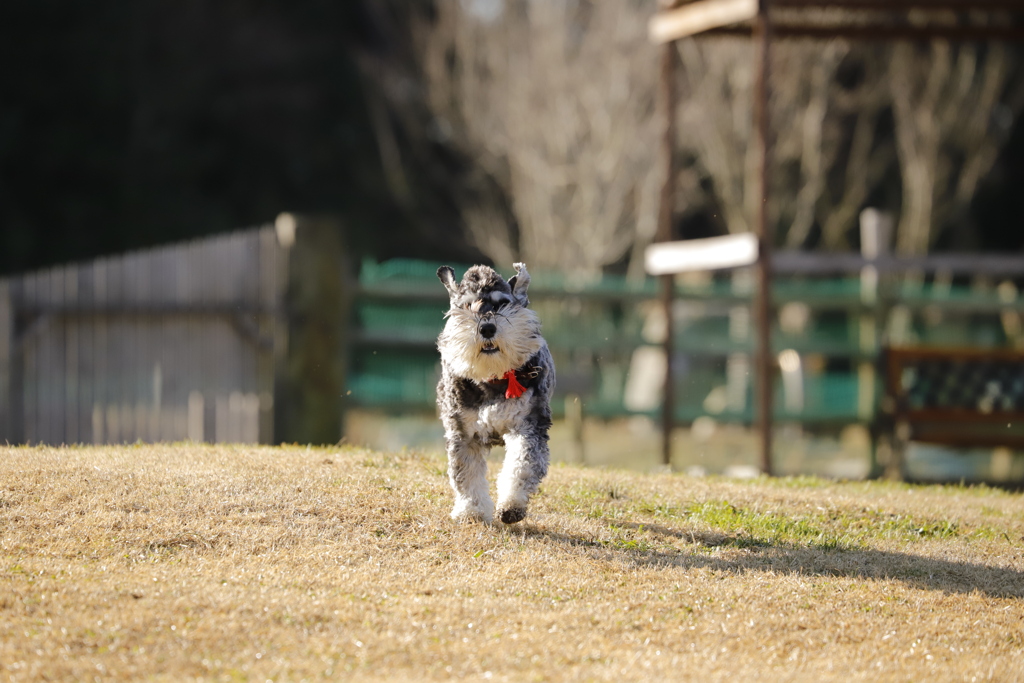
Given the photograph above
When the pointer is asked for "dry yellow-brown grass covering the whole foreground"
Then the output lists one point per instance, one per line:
(185, 562)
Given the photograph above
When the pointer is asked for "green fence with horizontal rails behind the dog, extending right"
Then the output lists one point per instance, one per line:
(594, 331)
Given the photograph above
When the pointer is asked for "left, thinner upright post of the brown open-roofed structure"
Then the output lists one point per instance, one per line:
(667, 88)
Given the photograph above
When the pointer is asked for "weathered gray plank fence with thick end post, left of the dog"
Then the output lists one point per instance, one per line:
(182, 343)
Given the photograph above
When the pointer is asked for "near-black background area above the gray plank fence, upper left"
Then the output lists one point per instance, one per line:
(125, 124)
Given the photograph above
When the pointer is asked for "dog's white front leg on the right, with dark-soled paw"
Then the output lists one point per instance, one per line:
(527, 459)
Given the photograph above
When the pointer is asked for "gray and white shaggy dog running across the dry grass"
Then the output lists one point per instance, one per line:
(497, 380)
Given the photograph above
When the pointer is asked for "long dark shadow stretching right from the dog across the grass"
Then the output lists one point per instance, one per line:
(867, 564)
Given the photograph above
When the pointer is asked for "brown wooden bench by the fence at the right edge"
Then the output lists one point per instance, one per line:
(952, 397)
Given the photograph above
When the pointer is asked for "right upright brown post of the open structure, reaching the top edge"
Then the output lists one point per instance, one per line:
(765, 366)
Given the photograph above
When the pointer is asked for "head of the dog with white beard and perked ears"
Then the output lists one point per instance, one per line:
(490, 330)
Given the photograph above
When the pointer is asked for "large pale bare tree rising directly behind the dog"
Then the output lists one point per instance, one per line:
(556, 103)
